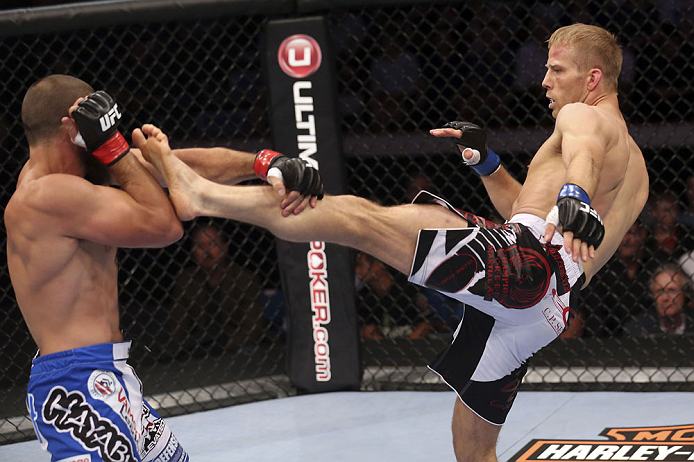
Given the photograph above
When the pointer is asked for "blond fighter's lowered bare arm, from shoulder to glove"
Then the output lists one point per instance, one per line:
(584, 143)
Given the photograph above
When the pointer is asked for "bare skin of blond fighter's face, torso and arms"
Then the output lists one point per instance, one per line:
(590, 146)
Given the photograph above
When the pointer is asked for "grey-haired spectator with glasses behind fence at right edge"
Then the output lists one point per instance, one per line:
(671, 313)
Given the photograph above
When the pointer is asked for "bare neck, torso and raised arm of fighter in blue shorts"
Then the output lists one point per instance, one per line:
(62, 237)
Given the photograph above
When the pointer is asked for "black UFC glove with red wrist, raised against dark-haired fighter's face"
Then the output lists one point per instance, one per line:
(97, 118)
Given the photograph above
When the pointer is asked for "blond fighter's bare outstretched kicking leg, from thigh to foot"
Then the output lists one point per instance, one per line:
(387, 233)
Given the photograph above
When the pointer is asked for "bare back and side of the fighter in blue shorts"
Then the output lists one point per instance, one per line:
(66, 287)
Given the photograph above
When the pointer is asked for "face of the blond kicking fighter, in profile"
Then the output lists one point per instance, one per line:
(563, 81)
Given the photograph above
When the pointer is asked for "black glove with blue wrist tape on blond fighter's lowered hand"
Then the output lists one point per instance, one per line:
(574, 213)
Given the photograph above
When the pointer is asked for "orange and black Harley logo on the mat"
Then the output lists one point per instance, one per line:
(672, 443)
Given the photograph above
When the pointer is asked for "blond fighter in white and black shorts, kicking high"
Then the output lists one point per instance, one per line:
(589, 179)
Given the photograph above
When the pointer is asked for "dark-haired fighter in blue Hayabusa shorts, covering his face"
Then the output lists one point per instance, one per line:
(64, 225)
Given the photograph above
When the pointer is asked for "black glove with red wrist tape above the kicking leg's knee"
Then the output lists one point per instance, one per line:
(297, 174)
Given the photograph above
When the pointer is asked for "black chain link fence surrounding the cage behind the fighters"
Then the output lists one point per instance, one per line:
(207, 314)
